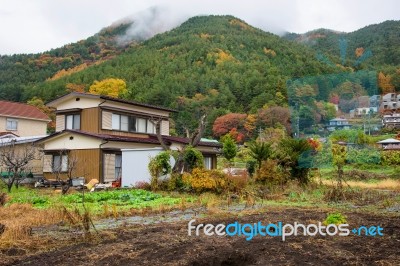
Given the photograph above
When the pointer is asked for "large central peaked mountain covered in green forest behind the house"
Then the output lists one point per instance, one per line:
(218, 61)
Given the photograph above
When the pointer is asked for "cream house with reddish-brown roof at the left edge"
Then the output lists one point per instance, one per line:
(22, 119)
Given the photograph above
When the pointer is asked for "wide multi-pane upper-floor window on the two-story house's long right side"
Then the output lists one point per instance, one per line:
(132, 124)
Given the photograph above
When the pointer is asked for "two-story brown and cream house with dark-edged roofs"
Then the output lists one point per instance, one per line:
(92, 131)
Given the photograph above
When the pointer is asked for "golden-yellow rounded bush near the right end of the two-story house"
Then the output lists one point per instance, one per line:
(201, 180)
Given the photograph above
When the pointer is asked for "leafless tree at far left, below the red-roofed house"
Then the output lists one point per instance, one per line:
(16, 159)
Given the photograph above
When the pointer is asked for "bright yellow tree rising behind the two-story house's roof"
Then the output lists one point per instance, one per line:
(109, 87)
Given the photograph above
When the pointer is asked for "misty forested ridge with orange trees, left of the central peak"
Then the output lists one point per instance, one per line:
(23, 70)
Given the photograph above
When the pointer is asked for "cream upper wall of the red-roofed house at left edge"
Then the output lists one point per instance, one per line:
(26, 127)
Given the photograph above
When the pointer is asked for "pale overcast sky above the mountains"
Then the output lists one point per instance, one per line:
(30, 26)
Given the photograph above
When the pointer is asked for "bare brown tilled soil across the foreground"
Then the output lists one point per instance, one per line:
(169, 244)
